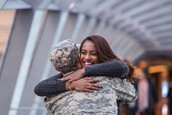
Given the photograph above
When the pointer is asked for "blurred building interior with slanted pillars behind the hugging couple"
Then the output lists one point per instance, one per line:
(139, 31)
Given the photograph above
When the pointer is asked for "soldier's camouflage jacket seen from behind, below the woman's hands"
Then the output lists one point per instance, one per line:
(101, 102)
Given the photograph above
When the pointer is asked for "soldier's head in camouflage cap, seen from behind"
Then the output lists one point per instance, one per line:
(64, 56)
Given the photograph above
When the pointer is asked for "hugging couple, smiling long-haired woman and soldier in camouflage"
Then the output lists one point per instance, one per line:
(91, 81)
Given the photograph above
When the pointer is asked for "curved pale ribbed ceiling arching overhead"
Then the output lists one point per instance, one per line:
(148, 21)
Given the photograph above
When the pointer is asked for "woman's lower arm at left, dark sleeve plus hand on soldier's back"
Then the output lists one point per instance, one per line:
(54, 86)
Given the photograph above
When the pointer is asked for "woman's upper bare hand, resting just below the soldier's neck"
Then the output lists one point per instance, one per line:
(75, 76)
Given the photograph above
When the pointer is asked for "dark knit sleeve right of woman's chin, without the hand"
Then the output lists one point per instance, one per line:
(112, 68)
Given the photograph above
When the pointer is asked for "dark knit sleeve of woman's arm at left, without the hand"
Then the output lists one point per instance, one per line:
(50, 86)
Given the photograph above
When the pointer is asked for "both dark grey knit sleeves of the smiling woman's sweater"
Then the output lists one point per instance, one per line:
(53, 85)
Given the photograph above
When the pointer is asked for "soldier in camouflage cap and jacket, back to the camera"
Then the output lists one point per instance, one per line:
(101, 102)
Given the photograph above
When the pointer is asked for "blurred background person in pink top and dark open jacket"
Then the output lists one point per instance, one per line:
(147, 96)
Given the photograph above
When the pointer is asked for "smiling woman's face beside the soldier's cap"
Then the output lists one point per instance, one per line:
(88, 54)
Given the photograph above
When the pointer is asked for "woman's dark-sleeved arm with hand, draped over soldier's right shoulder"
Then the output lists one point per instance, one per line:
(114, 68)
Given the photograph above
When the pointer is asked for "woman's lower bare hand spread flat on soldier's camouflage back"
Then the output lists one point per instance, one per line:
(86, 84)
